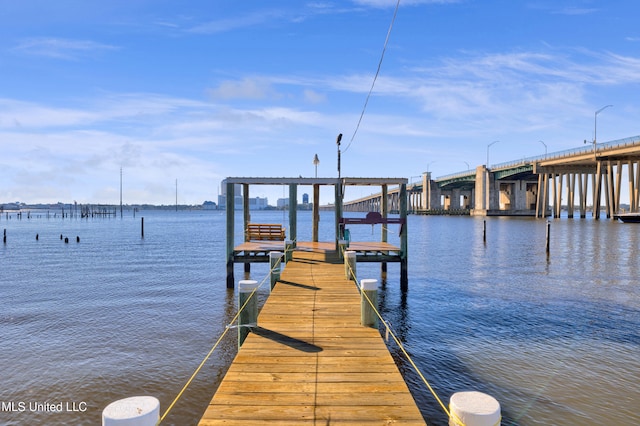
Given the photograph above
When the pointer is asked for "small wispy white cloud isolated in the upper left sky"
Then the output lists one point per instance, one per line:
(60, 48)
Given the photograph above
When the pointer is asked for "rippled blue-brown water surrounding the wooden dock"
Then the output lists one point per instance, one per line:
(554, 338)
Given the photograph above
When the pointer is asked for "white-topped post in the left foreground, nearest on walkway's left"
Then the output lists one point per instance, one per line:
(133, 411)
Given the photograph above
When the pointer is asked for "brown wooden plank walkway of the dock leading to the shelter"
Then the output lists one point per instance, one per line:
(310, 361)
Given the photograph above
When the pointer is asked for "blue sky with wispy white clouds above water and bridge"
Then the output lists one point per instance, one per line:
(196, 91)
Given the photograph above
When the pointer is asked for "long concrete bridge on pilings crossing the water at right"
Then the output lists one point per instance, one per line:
(534, 186)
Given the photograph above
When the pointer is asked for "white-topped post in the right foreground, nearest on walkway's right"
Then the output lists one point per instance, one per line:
(474, 409)
